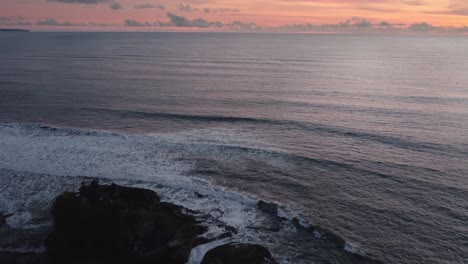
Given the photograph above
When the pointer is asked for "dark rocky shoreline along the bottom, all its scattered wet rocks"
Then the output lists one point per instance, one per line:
(117, 224)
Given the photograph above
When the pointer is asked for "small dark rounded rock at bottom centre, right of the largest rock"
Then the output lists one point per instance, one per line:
(239, 253)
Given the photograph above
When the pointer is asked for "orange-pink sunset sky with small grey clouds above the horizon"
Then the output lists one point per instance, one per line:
(221, 14)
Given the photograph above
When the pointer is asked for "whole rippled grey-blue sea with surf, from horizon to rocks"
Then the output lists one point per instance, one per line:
(365, 135)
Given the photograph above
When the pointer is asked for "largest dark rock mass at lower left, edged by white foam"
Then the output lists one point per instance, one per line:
(122, 224)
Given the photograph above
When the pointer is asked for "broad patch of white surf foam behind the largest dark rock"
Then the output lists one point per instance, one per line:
(42, 162)
